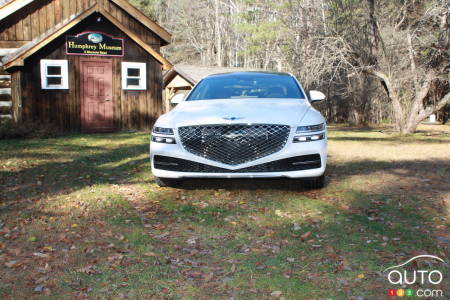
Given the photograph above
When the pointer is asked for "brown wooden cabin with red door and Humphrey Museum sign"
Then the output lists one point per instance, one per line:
(82, 65)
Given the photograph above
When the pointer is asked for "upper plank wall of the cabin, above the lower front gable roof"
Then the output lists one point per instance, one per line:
(40, 16)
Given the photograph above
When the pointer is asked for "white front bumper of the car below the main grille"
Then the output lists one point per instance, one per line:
(289, 151)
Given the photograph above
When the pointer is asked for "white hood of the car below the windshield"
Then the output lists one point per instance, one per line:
(230, 111)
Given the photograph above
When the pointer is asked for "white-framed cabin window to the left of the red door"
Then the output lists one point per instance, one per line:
(54, 74)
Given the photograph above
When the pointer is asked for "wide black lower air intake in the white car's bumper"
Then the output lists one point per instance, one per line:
(296, 163)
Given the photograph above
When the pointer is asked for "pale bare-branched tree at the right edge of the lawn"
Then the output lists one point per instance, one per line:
(408, 54)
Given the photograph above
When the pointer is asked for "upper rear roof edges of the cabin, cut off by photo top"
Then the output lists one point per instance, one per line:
(11, 6)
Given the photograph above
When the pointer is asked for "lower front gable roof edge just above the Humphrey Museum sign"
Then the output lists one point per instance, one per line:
(17, 58)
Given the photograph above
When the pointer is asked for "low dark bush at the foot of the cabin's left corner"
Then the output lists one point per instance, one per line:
(9, 130)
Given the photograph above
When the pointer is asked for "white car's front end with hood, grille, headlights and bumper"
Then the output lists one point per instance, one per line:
(242, 138)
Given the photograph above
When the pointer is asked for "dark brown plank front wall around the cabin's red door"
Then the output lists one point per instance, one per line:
(132, 109)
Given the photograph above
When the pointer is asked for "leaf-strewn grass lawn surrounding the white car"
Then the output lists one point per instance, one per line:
(81, 217)
